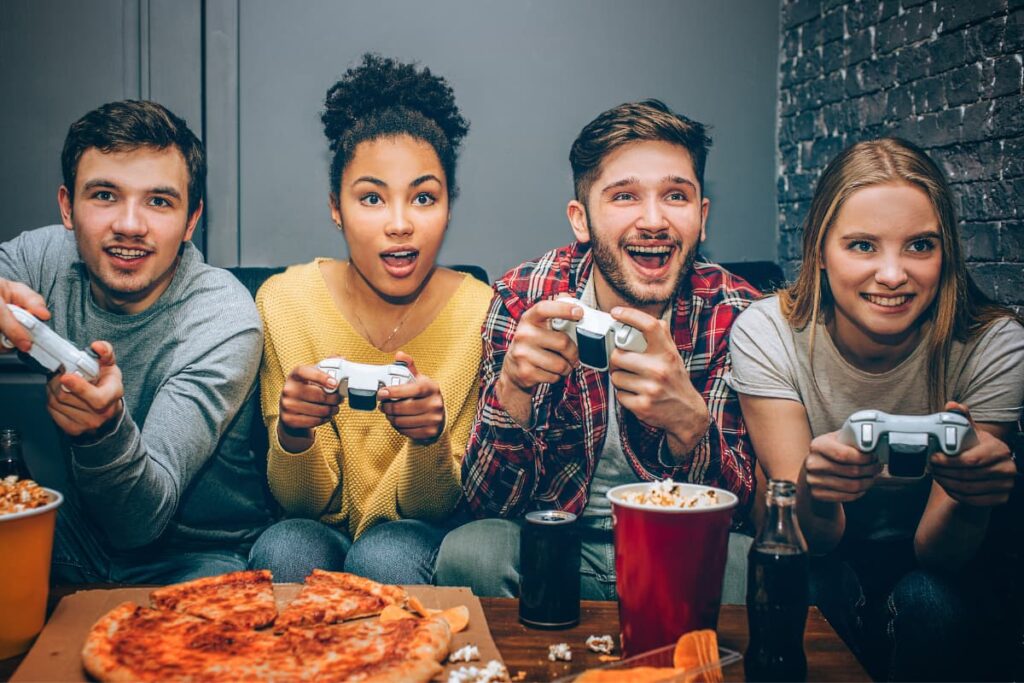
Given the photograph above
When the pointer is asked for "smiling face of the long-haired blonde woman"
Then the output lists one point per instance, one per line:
(883, 260)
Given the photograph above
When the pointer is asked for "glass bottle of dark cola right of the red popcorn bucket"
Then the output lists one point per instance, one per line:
(778, 592)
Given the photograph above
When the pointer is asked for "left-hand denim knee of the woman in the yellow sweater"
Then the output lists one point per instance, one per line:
(293, 548)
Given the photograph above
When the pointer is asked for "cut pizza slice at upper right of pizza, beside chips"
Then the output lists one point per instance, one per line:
(329, 597)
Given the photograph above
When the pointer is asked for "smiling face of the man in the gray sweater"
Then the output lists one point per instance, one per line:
(131, 218)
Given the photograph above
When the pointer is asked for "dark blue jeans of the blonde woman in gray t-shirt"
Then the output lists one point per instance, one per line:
(906, 624)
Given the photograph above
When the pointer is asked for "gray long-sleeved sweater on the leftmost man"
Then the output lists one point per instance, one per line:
(179, 467)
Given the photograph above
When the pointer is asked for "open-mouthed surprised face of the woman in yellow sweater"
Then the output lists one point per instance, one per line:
(394, 208)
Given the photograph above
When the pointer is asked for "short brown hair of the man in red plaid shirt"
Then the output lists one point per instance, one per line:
(632, 122)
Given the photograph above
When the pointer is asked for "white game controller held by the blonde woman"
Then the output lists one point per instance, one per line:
(904, 443)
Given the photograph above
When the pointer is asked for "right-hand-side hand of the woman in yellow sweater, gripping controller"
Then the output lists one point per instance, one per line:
(415, 409)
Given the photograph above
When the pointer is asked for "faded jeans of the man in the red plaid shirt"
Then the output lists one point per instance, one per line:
(485, 557)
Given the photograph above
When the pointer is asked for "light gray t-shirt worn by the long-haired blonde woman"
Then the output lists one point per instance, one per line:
(772, 360)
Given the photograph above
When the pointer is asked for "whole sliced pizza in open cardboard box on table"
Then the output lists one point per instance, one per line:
(203, 631)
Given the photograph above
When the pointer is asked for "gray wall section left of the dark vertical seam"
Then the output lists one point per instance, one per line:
(60, 59)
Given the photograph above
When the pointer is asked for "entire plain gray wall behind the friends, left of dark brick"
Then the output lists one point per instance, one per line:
(528, 74)
